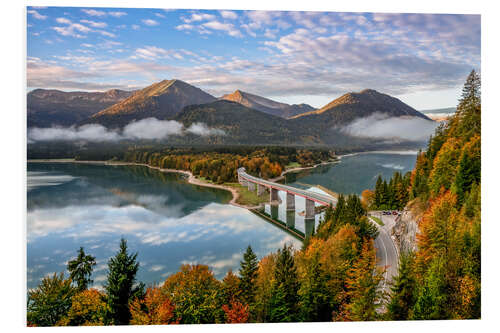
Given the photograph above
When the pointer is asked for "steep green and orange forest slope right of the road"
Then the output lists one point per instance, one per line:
(442, 280)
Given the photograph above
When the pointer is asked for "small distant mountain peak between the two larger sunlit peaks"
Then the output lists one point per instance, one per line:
(267, 105)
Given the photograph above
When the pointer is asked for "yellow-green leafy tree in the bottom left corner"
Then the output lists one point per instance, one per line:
(50, 301)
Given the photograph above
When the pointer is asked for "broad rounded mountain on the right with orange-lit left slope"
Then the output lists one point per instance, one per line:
(350, 106)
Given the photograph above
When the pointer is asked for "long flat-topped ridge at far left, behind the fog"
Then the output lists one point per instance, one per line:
(48, 108)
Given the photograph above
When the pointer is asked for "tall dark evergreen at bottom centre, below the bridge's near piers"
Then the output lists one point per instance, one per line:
(284, 297)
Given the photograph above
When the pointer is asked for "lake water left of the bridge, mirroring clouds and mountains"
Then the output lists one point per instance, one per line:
(168, 221)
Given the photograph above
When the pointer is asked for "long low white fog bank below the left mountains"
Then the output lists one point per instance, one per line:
(145, 129)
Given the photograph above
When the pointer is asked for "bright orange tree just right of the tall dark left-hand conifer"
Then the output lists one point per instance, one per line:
(154, 309)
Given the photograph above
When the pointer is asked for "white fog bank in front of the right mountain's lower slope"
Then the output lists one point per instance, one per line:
(382, 126)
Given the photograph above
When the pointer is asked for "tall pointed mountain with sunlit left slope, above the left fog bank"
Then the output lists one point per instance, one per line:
(162, 100)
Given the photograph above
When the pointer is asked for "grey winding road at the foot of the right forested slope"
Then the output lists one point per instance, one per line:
(387, 253)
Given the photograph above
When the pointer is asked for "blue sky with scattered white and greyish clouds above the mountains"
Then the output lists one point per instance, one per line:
(288, 56)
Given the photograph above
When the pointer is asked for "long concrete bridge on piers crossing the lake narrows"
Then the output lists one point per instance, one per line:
(261, 185)
